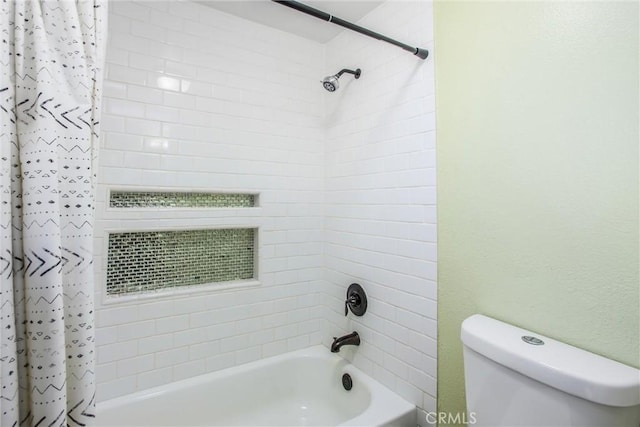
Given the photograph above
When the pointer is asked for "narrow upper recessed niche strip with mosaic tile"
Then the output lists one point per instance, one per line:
(177, 199)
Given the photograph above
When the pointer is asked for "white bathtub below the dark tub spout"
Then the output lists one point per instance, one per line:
(301, 388)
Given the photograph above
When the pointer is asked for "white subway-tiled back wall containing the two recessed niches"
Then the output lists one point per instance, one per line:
(198, 99)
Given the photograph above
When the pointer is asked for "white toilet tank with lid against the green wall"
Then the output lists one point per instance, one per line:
(515, 377)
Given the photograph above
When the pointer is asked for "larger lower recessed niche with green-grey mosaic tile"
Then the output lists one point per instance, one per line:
(147, 261)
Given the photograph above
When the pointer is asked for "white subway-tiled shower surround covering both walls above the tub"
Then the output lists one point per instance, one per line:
(198, 100)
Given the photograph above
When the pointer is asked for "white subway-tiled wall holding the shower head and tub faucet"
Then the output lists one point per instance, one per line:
(380, 225)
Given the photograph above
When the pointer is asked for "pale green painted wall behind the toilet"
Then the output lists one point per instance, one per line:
(537, 117)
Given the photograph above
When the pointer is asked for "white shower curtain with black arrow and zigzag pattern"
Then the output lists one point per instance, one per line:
(50, 61)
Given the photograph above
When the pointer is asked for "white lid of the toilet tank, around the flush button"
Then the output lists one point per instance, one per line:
(559, 365)
